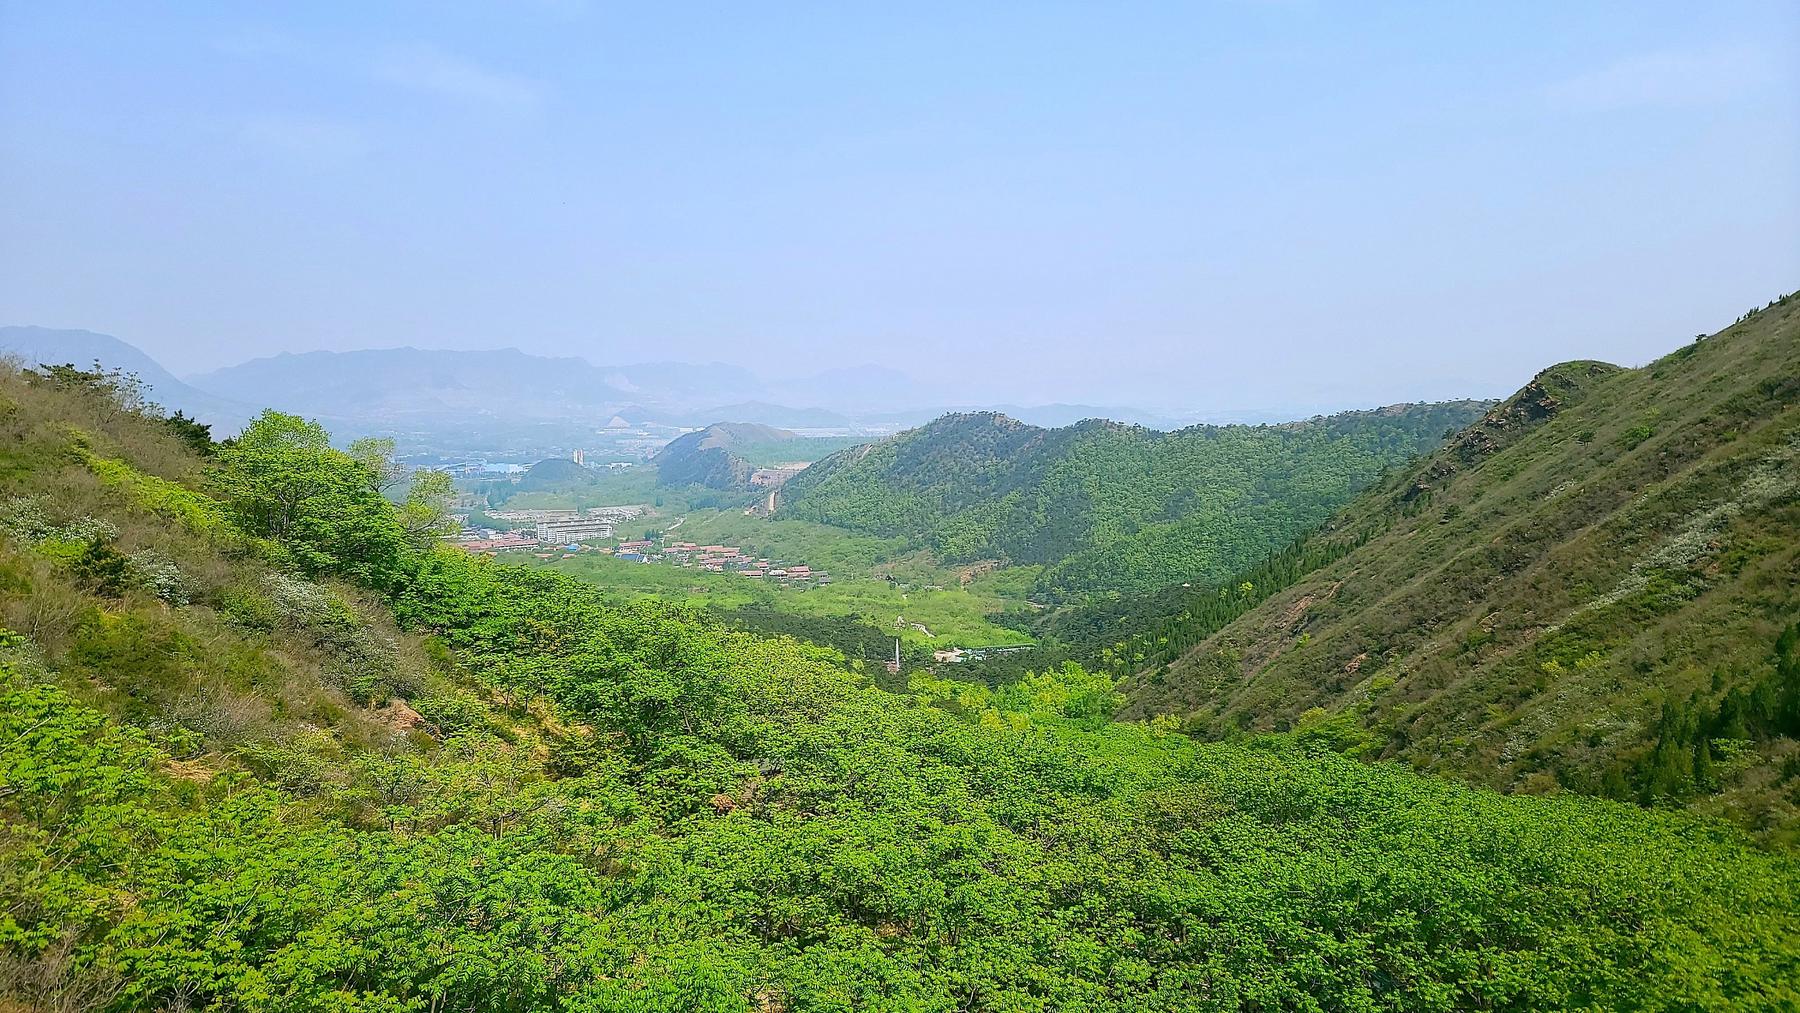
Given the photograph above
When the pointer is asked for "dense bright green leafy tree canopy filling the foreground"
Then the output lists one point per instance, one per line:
(744, 827)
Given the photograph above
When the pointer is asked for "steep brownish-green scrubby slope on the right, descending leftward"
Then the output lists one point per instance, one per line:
(1594, 589)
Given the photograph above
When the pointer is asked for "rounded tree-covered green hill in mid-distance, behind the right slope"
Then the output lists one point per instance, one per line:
(1106, 506)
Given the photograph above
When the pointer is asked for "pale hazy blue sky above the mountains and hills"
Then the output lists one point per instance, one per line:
(1189, 206)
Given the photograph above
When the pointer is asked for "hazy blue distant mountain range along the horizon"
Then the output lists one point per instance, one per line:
(381, 391)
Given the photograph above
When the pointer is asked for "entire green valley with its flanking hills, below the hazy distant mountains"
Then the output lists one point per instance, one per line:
(1428, 708)
